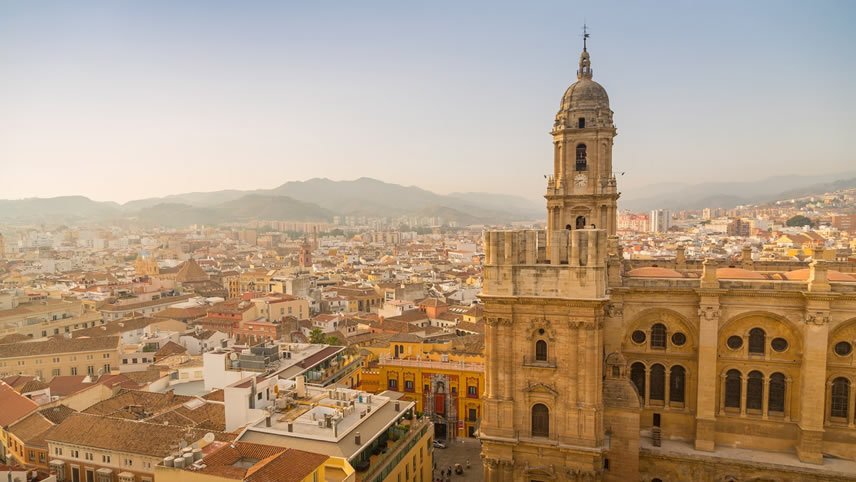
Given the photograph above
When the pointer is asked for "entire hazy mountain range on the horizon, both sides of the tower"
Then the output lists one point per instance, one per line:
(320, 199)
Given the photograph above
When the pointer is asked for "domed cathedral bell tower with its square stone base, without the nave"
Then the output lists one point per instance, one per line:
(544, 296)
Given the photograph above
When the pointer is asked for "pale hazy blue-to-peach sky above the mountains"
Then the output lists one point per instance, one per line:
(118, 100)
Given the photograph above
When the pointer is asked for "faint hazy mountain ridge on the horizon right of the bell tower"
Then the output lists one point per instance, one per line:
(730, 194)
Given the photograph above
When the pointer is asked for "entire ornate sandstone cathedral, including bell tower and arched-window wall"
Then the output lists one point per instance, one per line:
(599, 368)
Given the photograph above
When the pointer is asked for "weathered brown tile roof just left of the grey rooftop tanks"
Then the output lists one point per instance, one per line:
(125, 435)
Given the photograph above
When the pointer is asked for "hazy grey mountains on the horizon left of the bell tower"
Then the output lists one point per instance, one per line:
(312, 200)
